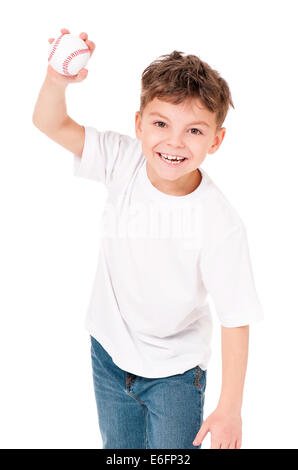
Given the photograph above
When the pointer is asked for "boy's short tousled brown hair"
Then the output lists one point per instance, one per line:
(176, 78)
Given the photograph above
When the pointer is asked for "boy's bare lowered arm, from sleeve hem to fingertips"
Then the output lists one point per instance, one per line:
(225, 423)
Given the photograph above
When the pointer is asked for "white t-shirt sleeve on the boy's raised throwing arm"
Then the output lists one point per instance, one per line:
(99, 157)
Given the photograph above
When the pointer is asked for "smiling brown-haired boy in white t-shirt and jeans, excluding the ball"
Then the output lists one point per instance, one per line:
(169, 238)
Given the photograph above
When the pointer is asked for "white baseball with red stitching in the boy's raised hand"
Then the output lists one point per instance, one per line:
(68, 54)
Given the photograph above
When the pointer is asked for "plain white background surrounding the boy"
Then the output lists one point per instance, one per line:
(50, 219)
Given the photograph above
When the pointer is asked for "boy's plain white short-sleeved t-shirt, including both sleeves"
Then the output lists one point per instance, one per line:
(160, 258)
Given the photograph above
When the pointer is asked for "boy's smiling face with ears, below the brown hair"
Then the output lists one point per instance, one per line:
(177, 130)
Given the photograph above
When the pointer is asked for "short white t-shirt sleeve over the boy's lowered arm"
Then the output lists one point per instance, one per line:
(228, 277)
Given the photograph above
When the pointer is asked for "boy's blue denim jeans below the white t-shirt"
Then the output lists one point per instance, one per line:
(142, 413)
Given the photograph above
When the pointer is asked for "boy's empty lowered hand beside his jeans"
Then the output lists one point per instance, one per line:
(225, 429)
